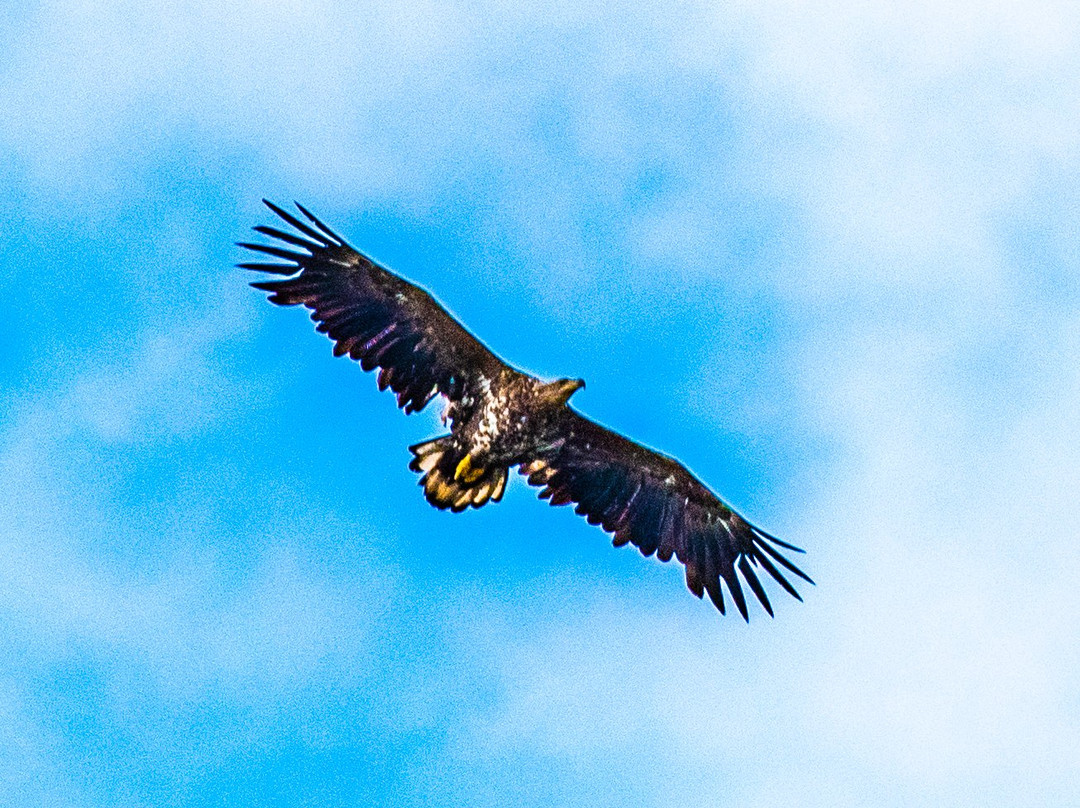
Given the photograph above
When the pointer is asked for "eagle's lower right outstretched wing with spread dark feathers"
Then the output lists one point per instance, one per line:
(652, 502)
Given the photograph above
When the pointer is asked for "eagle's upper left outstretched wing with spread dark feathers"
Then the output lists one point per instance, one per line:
(377, 318)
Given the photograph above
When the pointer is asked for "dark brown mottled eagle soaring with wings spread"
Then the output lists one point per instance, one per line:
(502, 418)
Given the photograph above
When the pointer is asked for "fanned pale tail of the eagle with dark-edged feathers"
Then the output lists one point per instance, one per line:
(444, 487)
